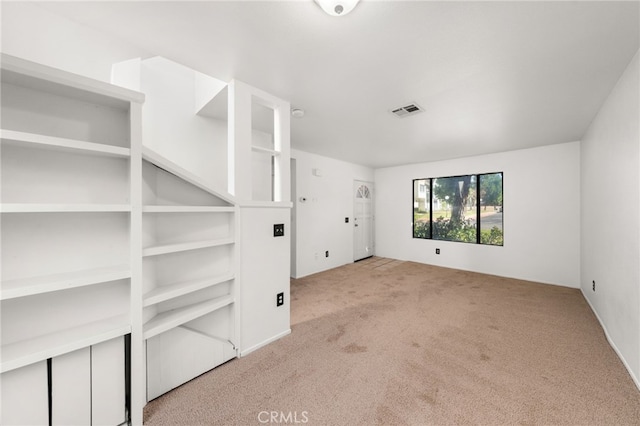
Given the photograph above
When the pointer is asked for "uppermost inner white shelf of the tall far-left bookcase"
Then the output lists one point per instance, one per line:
(71, 145)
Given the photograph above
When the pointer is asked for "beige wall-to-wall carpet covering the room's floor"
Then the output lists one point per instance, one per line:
(390, 342)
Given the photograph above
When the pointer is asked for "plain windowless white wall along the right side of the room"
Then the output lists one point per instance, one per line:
(610, 226)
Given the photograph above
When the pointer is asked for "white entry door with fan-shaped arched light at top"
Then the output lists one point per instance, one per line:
(363, 243)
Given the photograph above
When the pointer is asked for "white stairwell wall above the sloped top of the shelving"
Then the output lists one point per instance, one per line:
(170, 125)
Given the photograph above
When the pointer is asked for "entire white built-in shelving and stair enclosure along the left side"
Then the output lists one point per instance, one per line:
(120, 264)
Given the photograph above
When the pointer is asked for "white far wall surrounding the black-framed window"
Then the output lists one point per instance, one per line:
(541, 215)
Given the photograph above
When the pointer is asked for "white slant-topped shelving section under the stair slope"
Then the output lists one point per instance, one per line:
(188, 274)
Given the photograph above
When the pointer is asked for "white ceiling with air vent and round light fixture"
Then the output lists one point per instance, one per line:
(491, 76)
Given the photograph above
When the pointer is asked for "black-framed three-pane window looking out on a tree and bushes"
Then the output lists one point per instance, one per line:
(464, 208)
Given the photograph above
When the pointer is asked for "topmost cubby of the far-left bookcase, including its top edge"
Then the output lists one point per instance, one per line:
(49, 102)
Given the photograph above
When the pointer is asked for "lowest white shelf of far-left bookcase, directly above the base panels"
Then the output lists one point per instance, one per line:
(29, 351)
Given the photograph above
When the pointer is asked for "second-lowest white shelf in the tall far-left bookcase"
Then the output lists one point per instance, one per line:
(11, 289)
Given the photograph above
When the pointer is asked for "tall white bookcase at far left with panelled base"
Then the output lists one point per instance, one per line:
(66, 220)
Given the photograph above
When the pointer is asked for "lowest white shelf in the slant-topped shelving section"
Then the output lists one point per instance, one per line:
(173, 318)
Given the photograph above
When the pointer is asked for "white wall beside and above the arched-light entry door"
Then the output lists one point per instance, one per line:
(320, 220)
